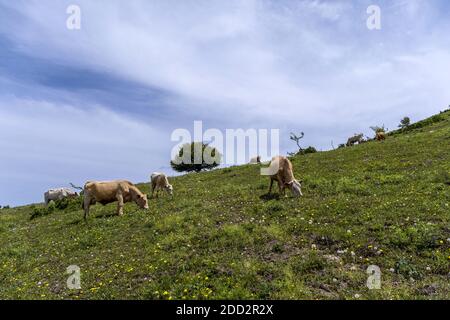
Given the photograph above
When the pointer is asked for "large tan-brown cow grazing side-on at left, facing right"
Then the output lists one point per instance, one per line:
(106, 192)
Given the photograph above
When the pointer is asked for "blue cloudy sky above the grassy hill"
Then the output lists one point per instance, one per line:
(101, 102)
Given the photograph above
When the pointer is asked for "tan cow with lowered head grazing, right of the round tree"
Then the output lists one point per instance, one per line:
(284, 176)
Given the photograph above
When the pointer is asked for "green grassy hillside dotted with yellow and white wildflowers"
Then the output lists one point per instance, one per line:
(382, 203)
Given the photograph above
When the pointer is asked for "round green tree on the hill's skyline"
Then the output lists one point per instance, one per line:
(196, 156)
